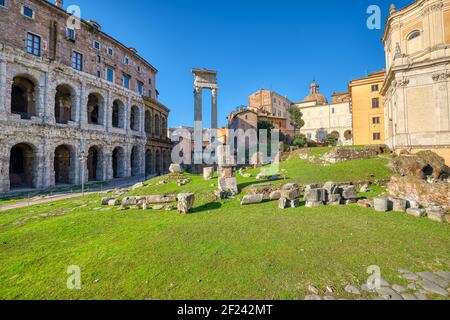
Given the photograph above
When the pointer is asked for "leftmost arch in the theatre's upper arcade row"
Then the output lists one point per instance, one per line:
(24, 92)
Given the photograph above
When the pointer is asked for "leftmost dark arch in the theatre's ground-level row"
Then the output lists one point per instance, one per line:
(22, 166)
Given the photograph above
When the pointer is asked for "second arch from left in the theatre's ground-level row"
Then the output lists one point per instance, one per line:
(64, 165)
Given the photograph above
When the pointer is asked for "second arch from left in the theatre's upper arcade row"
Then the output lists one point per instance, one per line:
(65, 104)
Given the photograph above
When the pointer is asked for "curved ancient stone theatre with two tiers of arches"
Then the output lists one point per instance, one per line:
(73, 100)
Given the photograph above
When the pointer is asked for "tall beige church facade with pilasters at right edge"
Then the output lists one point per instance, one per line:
(417, 100)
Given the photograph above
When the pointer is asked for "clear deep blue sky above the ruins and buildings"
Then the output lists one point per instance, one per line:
(280, 45)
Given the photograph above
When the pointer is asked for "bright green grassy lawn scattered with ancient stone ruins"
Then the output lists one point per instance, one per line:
(221, 251)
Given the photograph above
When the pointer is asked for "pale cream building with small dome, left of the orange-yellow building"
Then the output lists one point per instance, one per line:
(322, 118)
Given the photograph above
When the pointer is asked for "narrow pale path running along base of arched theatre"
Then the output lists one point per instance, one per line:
(63, 196)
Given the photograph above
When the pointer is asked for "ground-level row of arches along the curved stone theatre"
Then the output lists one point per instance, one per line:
(27, 164)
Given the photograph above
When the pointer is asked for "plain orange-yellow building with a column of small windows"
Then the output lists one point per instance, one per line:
(368, 109)
